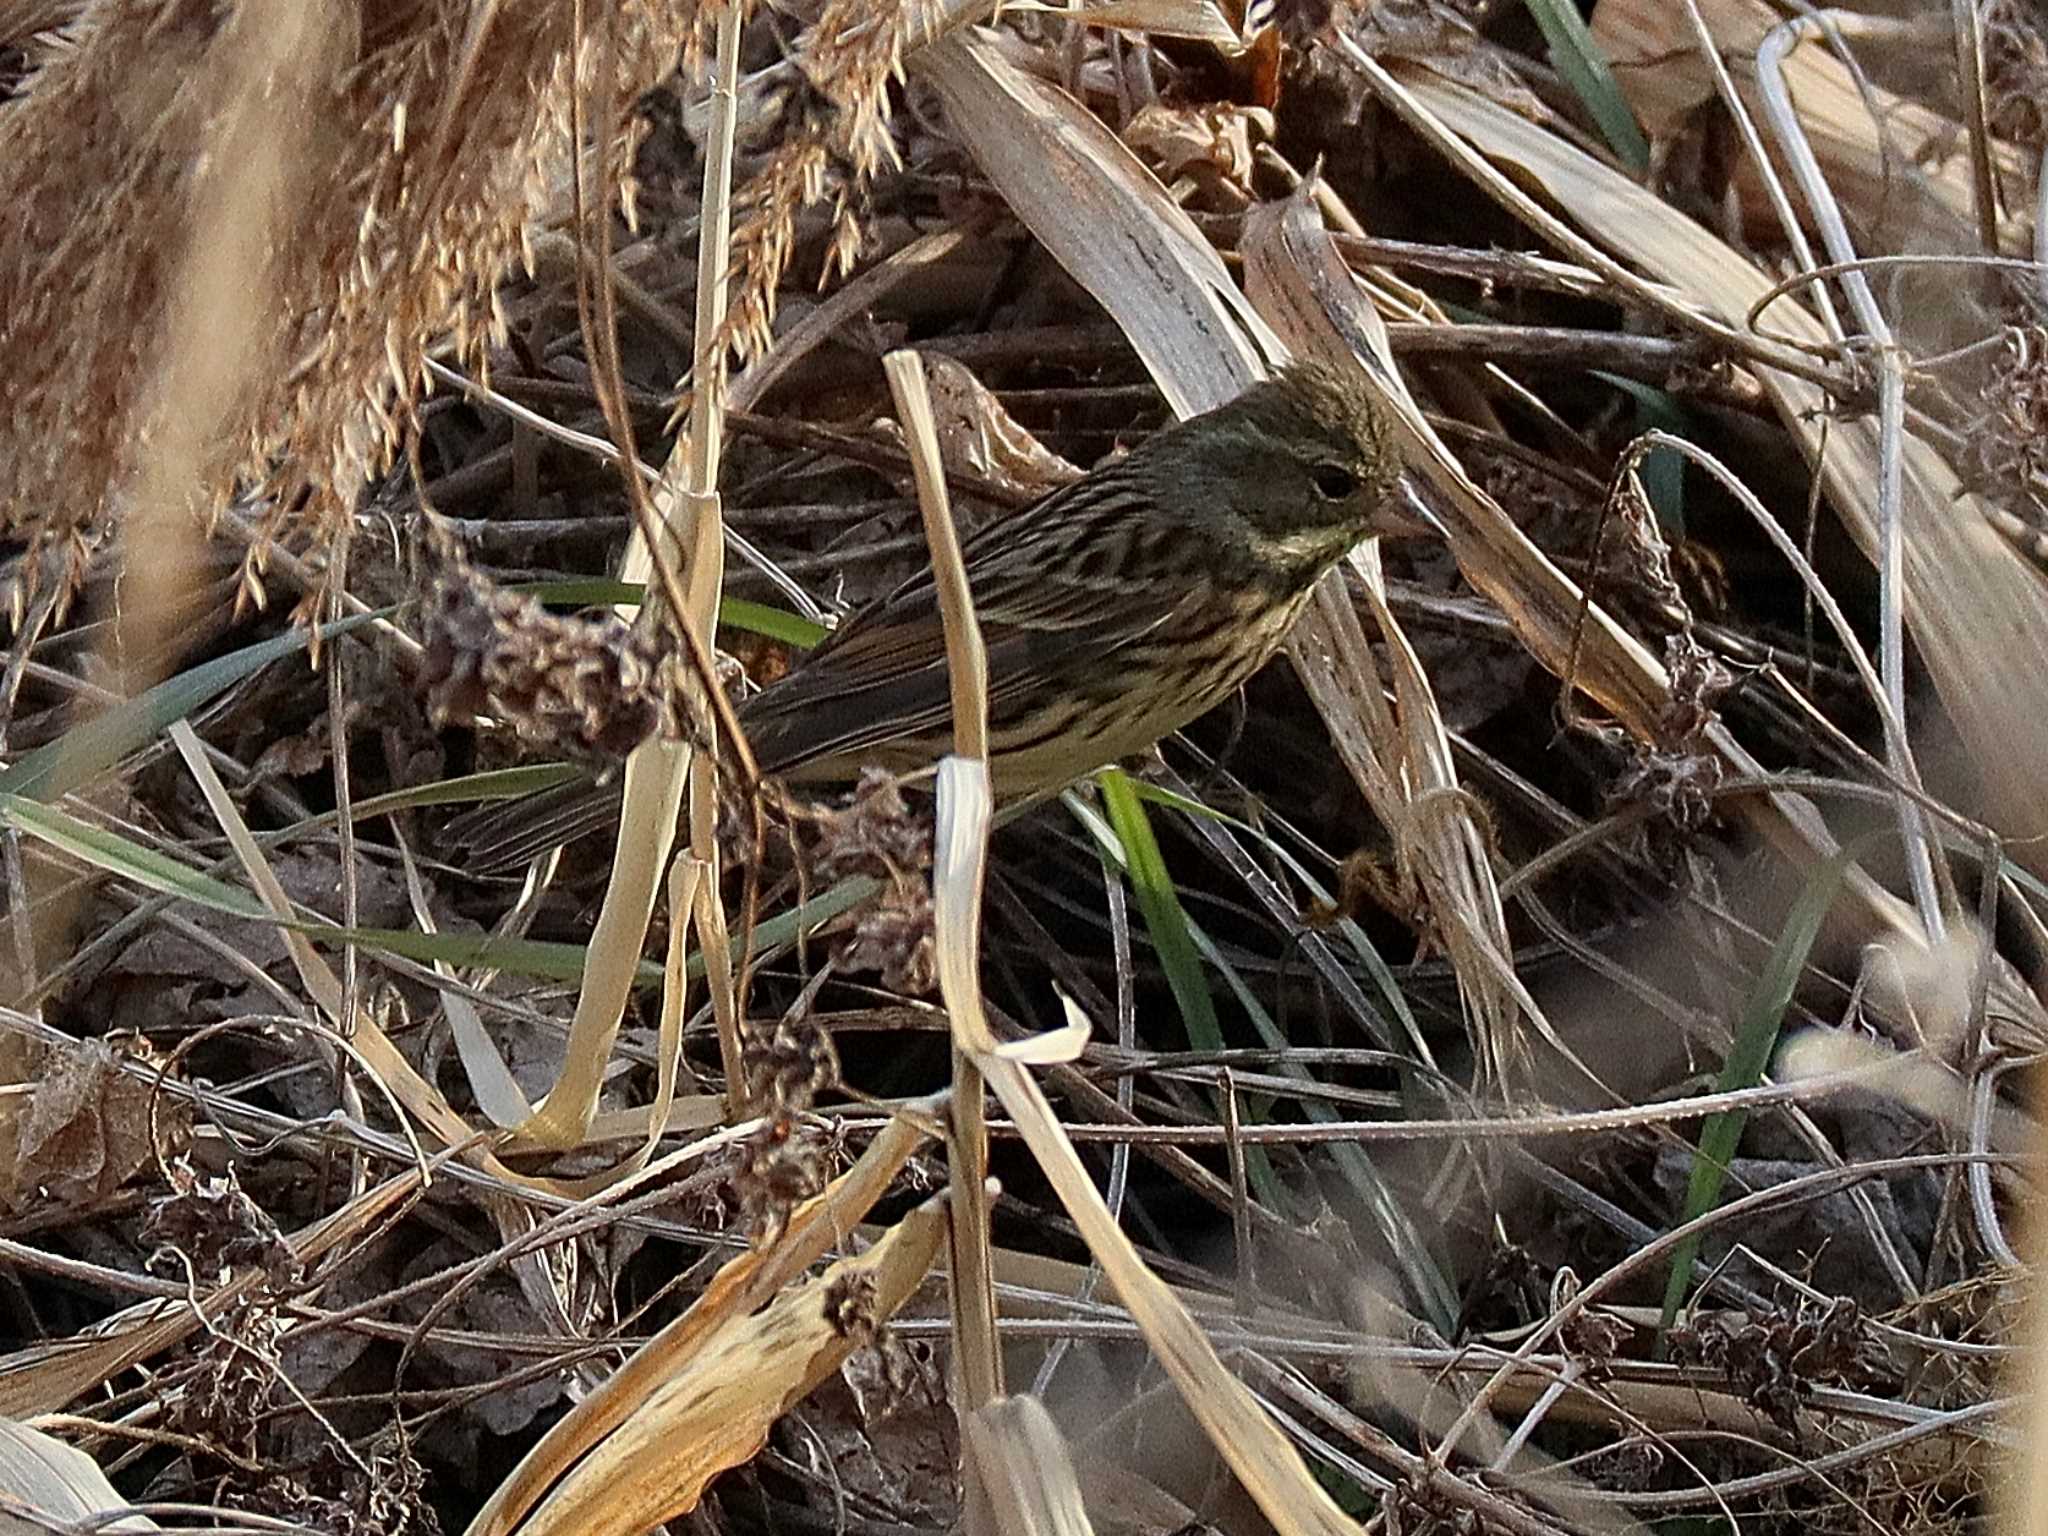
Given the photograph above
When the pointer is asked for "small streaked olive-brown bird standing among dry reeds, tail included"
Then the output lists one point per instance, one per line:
(1115, 609)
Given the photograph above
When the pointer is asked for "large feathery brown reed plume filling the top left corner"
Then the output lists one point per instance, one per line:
(427, 140)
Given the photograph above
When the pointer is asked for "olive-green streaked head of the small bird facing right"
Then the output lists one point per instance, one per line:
(1297, 468)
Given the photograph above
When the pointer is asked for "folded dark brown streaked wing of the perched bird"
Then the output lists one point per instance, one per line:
(1043, 607)
